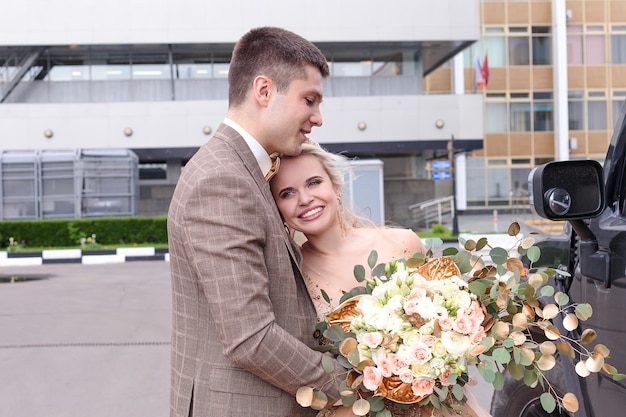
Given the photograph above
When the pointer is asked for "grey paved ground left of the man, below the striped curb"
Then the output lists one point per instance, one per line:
(85, 340)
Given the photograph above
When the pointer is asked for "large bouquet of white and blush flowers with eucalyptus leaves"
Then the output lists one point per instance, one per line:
(411, 333)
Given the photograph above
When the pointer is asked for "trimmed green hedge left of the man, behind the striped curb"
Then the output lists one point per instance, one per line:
(68, 232)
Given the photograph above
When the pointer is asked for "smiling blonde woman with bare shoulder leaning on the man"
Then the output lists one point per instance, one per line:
(307, 191)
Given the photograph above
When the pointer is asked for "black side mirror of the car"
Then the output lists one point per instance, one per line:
(567, 190)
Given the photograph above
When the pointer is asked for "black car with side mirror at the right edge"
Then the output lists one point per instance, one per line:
(591, 198)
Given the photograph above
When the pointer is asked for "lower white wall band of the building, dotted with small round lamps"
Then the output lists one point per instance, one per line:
(180, 124)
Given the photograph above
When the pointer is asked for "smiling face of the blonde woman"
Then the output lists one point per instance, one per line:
(305, 195)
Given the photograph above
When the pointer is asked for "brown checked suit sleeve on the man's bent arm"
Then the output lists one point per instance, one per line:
(227, 223)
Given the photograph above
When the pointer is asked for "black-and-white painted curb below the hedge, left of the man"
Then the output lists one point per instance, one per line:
(88, 257)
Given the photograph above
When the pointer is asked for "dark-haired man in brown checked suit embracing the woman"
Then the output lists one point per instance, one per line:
(242, 319)
